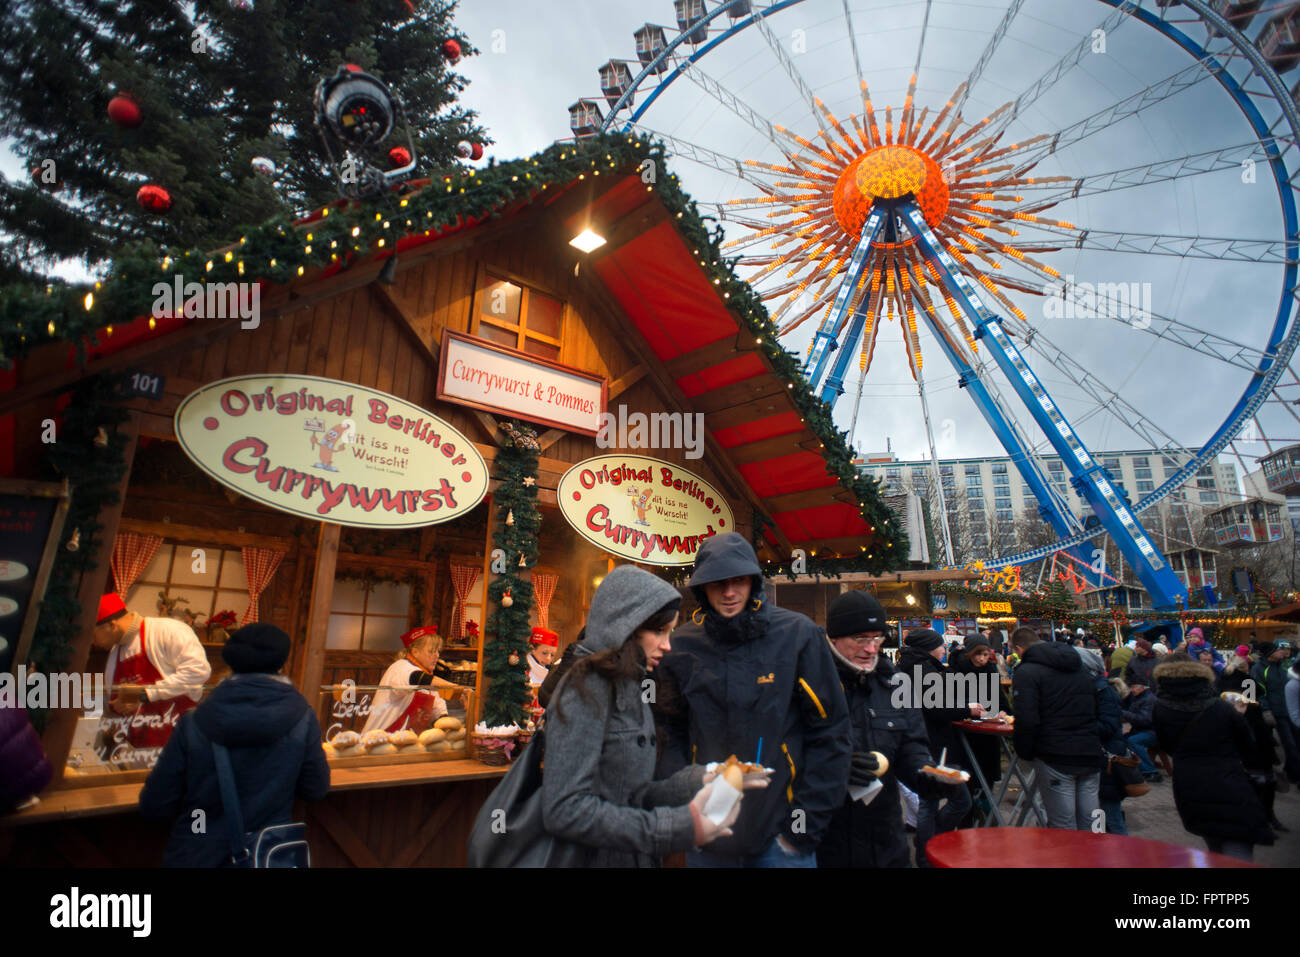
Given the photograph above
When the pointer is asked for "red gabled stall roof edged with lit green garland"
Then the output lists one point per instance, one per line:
(694, 340)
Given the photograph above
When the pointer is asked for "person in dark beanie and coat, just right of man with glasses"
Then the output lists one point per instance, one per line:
(920, 664)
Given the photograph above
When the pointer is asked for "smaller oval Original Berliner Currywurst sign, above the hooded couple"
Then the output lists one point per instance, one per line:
(644, 510)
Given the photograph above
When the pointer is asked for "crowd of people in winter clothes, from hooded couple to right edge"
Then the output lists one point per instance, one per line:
(850, 769)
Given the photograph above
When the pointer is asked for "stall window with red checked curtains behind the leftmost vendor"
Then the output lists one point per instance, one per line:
(197, 581)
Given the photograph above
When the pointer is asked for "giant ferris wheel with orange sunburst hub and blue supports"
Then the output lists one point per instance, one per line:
(1086, 209)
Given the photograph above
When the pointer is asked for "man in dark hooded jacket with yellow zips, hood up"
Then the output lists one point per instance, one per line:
(747, 675)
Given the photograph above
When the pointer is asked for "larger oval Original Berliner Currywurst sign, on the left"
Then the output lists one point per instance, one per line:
(332, 452)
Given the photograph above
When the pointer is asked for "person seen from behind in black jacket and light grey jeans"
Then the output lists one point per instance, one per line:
(1056, 728)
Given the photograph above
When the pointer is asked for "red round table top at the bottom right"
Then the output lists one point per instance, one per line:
(1043, 847)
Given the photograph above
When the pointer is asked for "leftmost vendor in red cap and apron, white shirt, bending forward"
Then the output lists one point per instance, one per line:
(157, 670)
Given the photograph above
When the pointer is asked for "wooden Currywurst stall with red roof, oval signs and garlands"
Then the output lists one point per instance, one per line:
(449, 445)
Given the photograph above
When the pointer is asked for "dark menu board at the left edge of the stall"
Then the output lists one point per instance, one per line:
(32, 521)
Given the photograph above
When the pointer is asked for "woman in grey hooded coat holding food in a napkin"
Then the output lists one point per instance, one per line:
(597, 786)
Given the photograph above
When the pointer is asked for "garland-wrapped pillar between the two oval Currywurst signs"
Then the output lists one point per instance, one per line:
(518, 527)
